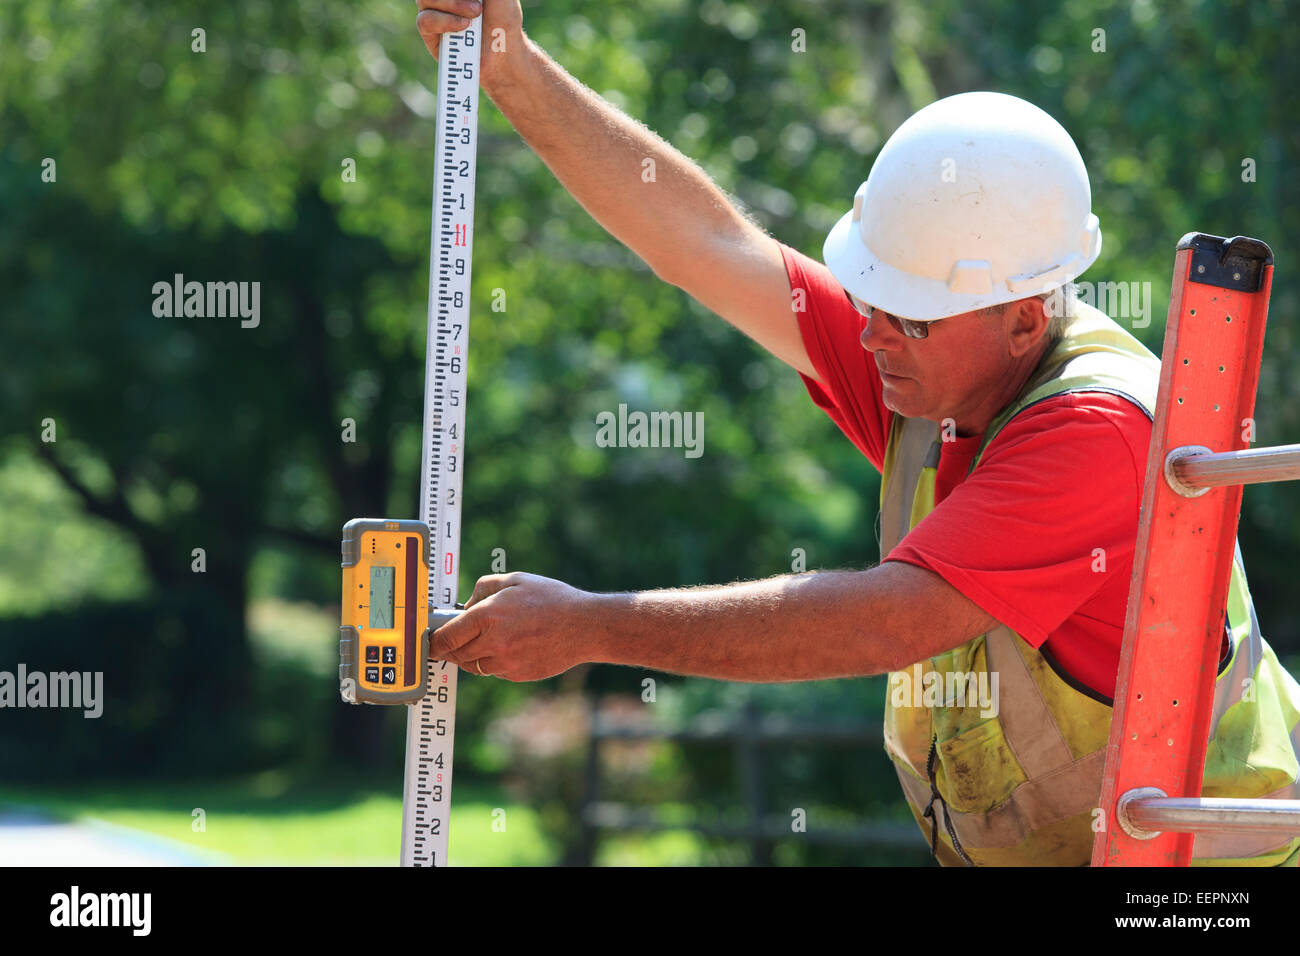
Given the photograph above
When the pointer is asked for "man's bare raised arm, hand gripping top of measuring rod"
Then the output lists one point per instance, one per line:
(681, 223)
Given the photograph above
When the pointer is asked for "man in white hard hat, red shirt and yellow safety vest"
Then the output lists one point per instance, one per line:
(1011, 425)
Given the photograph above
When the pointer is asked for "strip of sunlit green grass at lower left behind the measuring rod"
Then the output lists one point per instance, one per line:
(274, 820)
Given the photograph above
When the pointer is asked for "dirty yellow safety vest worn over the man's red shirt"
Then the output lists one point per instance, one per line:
(1021, 788)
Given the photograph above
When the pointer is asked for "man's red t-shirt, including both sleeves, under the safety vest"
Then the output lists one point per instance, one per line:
(1020, 537)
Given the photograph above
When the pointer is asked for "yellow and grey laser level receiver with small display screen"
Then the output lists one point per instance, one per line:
(384, 637)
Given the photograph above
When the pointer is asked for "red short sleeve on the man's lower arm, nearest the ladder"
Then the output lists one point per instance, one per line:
(1047, 520)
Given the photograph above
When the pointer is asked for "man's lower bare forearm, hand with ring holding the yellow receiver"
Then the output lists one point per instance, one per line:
(794, 628)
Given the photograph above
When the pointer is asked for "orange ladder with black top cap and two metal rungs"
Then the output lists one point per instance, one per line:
(1186, 539)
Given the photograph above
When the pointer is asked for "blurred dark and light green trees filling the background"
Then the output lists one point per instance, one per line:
(226, 166)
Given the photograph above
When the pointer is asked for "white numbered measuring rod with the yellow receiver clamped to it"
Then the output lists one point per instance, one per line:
(400, 577)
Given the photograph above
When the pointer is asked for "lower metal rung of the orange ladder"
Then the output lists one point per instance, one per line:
(1151, 816)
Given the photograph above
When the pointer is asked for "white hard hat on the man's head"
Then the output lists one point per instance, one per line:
(976, 201)
